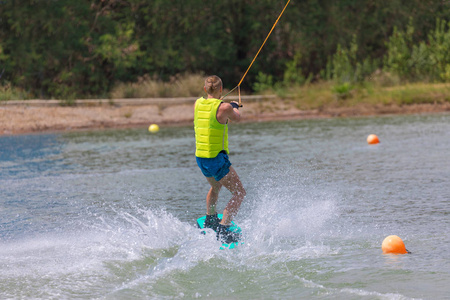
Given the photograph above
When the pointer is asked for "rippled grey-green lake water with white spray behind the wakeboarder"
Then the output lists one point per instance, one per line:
(111, 214)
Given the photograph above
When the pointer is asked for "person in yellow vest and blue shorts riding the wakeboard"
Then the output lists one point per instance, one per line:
(211, 137)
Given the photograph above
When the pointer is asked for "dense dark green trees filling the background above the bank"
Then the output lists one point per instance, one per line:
(67, 49)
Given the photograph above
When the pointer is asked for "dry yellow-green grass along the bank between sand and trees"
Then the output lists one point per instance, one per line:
(321, 95)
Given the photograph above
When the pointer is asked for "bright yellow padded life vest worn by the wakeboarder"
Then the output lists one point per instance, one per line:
(211, 137)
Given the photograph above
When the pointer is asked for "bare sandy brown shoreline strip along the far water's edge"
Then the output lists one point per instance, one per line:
(21, 119)
